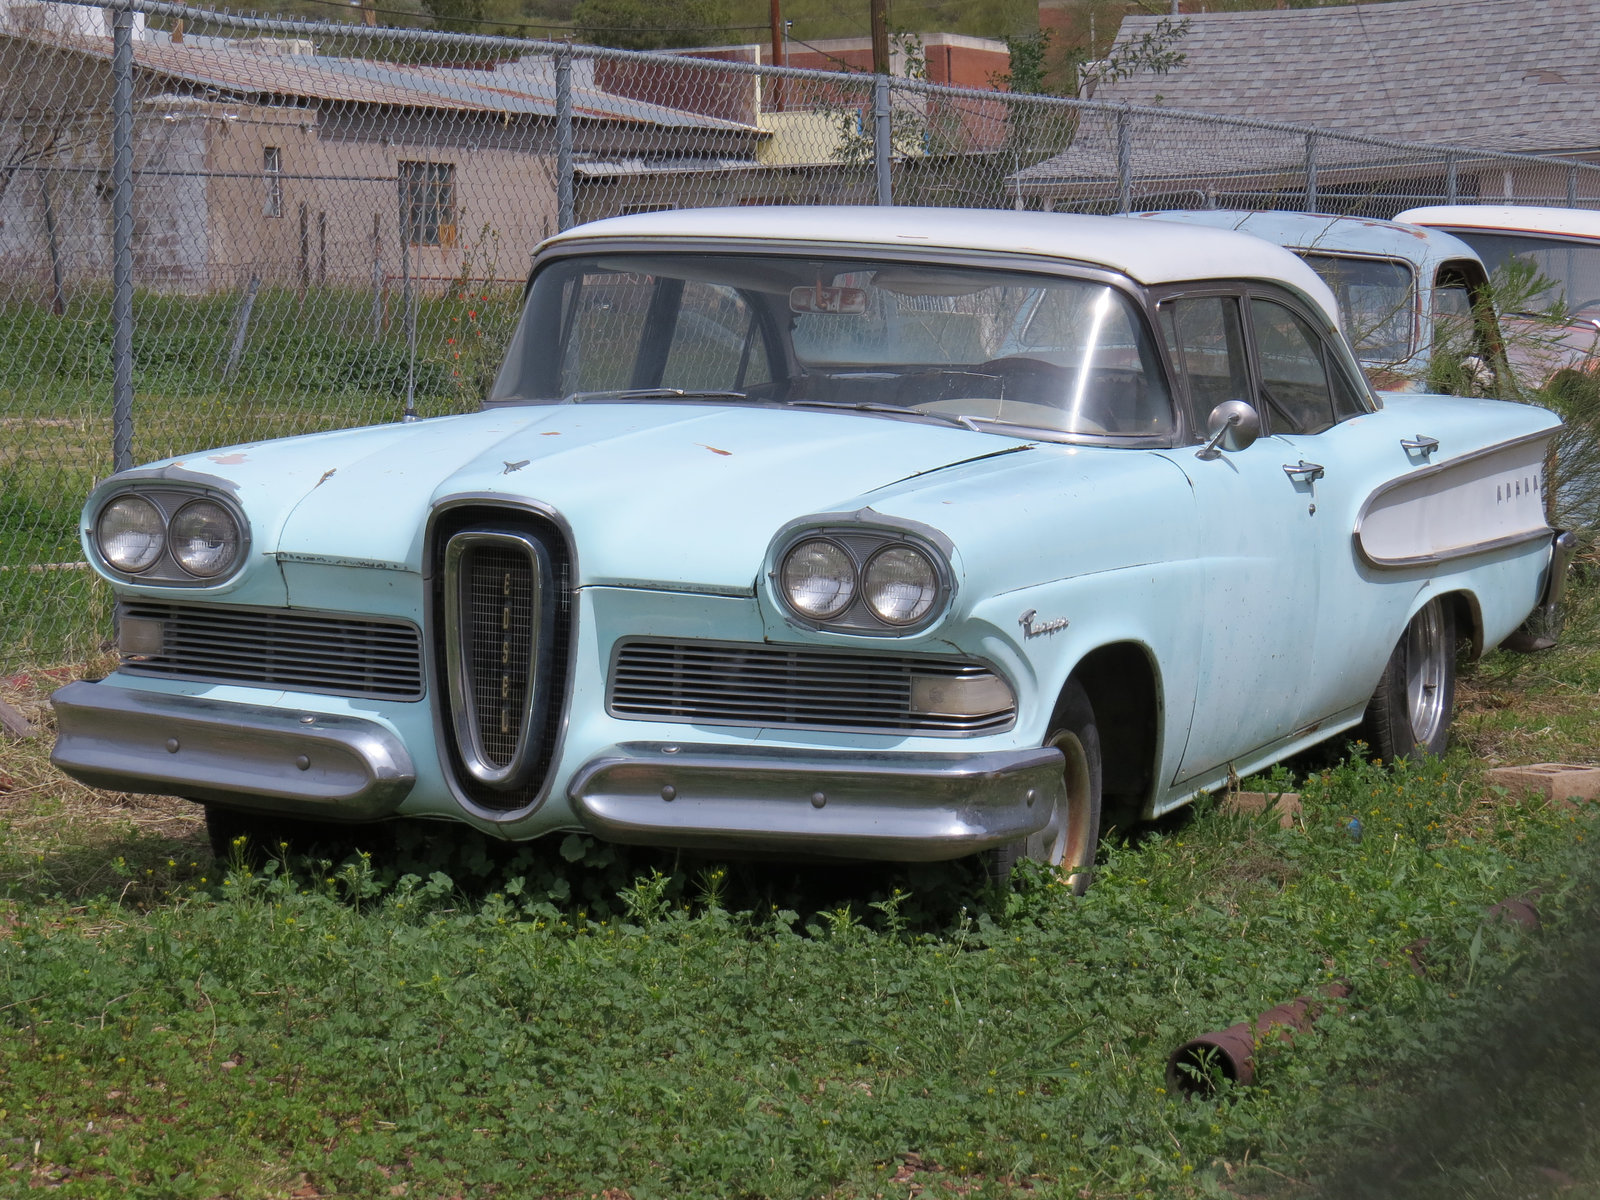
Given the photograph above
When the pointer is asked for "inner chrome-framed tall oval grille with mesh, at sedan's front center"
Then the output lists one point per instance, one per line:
(500, 602)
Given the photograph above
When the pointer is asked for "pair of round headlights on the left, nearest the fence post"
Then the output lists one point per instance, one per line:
(169, 537)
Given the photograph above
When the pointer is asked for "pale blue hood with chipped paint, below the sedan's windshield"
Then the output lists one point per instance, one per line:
(654, 494)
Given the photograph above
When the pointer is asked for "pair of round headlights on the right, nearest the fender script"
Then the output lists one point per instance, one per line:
(863, 582)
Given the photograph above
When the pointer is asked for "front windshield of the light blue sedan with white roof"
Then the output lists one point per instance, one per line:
(926, 342)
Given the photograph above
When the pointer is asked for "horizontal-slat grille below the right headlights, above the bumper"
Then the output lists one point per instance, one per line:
(722, 684)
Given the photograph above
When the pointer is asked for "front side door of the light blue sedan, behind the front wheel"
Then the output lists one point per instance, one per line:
(1257, 542)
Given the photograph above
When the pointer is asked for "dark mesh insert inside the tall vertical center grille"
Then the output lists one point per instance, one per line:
(500, 598)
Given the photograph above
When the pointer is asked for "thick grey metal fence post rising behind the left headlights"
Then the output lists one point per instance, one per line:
(122, 241)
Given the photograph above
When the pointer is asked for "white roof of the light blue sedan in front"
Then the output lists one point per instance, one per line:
(1148, 252)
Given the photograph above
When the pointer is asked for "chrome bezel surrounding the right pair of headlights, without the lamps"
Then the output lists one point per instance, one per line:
(863, 543)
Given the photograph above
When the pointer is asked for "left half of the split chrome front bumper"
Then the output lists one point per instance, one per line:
(246, 756)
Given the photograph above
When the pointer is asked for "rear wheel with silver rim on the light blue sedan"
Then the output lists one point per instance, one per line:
(1410, 710)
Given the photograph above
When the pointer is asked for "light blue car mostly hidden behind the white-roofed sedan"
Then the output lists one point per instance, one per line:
(1406, 294)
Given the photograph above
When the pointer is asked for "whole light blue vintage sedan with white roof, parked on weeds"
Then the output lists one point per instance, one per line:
(873, 534)
